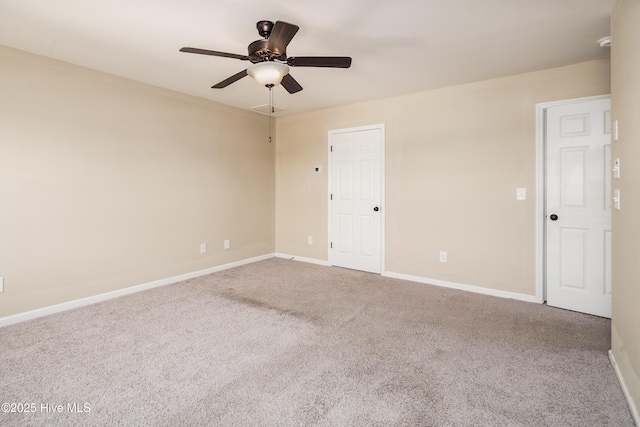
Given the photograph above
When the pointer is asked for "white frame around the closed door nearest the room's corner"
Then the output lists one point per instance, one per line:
(383, 207)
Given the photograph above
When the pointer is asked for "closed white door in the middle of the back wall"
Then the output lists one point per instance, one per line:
(356, 198)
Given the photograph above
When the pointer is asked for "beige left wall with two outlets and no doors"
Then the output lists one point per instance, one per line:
(106, 183)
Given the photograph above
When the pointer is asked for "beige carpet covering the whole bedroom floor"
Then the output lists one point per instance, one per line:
(284, 343)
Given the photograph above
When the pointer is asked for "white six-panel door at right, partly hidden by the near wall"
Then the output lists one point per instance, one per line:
(578, 207)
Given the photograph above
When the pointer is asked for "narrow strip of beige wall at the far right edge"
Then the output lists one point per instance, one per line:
(625, 97)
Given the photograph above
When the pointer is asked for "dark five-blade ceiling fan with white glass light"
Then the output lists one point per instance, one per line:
(269, 58)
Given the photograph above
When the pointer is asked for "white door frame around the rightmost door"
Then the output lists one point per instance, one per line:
(541, 185)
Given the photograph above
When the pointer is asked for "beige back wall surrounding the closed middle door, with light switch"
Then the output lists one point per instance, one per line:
(454, 158)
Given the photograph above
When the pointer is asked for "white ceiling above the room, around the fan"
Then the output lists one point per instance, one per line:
(398, 47)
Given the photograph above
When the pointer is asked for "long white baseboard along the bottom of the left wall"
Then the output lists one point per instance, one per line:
(45, 311)
